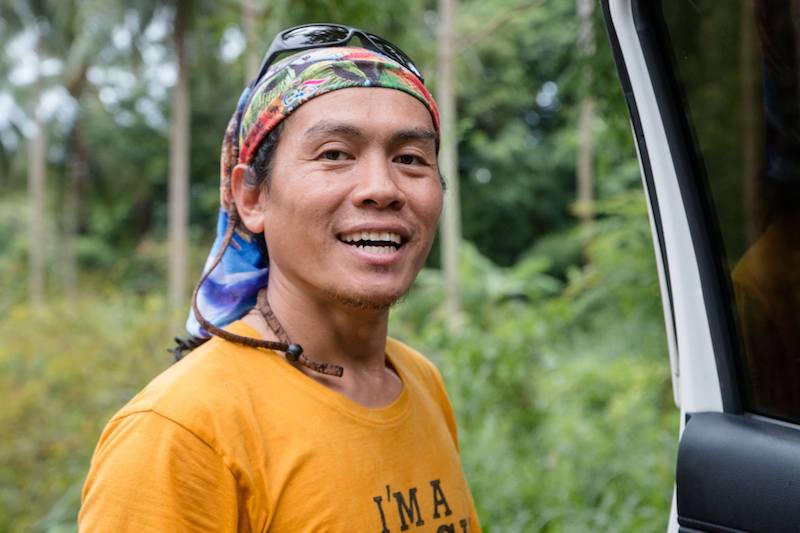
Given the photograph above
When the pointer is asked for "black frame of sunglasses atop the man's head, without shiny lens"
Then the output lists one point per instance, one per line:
(370, 41)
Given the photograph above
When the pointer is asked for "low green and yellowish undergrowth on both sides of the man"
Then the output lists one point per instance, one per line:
(559, 378)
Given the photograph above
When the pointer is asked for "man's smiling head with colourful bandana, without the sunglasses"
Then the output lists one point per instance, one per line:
(332, 157)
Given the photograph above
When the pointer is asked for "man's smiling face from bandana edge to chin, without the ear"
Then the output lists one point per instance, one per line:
(354, 198)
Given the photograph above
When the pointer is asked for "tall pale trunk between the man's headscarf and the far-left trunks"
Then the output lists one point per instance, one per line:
(178, 216)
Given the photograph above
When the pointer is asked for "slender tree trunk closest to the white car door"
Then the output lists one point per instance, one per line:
(585, 160)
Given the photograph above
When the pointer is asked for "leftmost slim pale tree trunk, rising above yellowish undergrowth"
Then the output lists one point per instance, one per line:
(36, 206)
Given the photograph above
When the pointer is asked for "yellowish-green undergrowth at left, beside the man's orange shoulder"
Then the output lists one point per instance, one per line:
(64, 370)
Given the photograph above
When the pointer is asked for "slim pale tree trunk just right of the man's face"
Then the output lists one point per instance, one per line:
(451, 220)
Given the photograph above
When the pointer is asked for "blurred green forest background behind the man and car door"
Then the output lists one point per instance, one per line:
(540, 302)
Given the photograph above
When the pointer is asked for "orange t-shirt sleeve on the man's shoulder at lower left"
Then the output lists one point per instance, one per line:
(150, 473)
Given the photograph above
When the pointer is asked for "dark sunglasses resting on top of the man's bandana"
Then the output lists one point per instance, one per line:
(310, 36)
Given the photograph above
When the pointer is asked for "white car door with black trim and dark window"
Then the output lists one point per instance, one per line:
(713, 90)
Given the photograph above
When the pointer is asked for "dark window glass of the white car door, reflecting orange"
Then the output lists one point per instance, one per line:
(737, 66)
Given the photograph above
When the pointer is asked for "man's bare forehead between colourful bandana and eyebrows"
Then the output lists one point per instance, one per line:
(372, 110)
